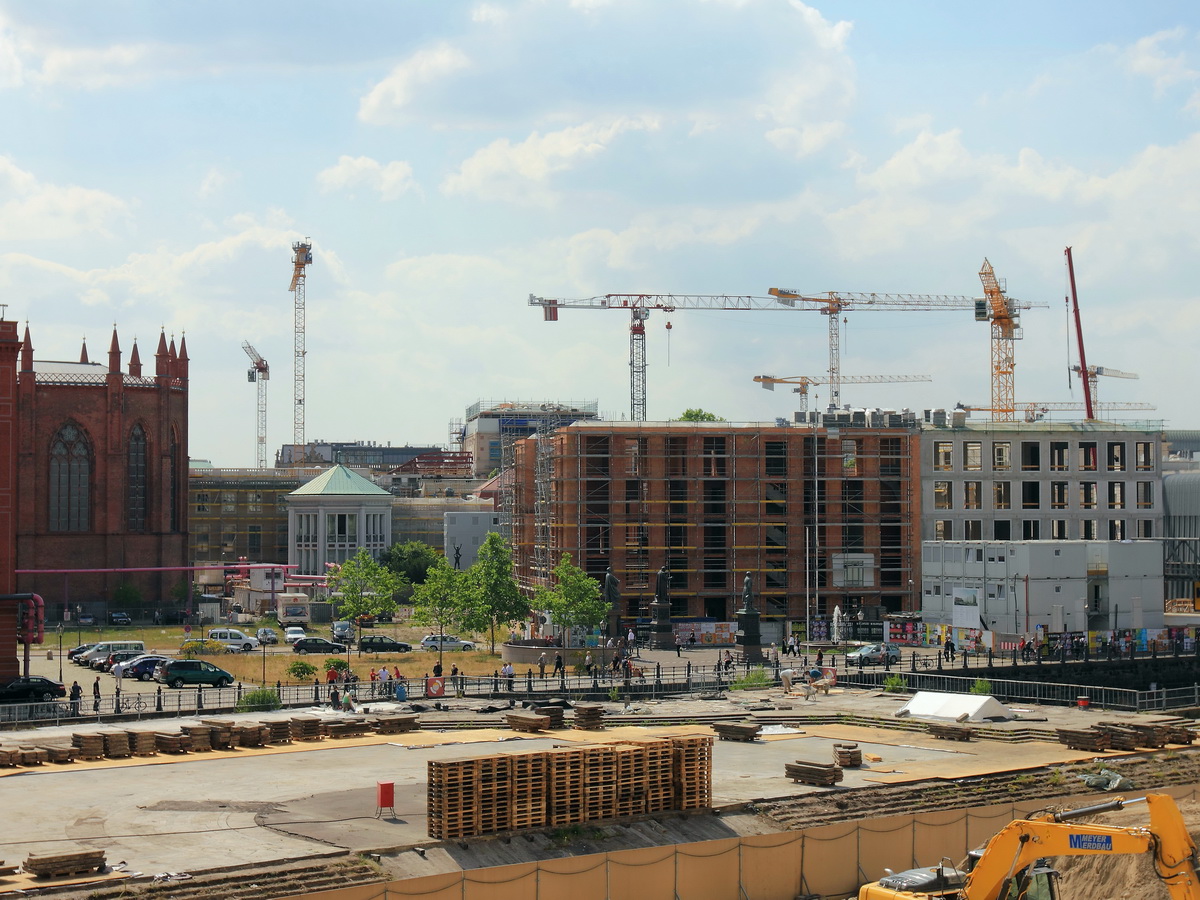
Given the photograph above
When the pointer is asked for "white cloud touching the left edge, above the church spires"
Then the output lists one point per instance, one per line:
(32, 211)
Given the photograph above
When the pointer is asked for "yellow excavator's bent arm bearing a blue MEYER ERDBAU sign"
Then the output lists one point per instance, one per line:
(1023, 843)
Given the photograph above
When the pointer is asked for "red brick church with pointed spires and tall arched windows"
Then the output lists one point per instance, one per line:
(93, 476)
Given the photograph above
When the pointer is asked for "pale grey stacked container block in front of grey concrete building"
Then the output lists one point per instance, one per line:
(1015, 589)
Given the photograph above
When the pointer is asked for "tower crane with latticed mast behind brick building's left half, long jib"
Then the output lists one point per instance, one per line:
(639, 308)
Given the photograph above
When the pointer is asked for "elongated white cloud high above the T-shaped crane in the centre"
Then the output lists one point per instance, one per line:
(520, 173)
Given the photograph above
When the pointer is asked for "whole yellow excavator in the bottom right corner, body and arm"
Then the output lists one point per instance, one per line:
(1013, 865)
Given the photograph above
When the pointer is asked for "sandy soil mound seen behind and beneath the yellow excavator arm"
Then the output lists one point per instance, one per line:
(1120, 878)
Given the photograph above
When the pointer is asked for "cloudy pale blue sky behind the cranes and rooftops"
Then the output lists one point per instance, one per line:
(448, 160)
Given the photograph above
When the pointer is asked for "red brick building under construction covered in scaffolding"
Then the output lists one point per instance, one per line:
(821, 515)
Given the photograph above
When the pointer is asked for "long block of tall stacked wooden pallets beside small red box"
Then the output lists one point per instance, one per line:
(568, 785)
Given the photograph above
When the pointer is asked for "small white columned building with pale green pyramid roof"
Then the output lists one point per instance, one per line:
(333, 518)
